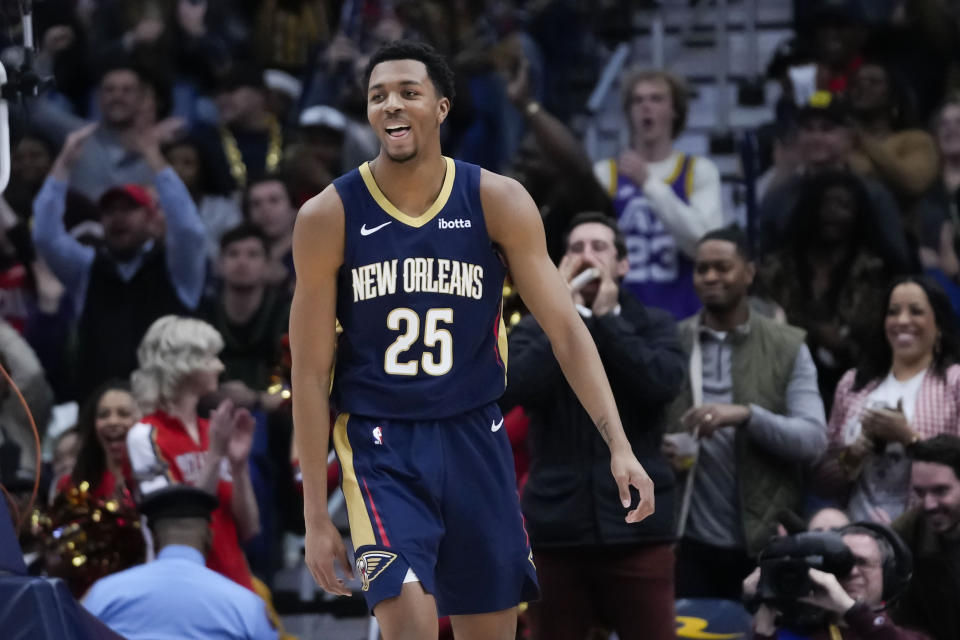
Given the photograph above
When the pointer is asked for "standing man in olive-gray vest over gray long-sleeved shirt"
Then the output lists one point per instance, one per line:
(750, 413)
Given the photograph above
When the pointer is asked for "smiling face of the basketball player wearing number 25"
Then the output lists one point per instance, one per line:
(404, 108)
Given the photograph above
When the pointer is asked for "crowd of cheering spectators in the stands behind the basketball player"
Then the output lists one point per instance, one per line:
(808, 360)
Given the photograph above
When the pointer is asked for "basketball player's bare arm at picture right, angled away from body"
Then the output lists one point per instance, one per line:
(513, 222)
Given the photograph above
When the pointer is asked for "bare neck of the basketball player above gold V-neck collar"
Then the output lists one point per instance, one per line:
(411, 186)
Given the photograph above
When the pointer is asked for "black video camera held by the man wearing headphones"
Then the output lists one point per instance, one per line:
(785, 575)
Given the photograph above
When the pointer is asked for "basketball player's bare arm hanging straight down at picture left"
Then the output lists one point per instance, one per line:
(318, 239)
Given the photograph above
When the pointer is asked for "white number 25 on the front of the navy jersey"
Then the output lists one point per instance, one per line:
(433, 336)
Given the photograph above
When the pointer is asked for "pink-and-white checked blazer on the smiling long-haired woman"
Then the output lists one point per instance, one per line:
(937, 410)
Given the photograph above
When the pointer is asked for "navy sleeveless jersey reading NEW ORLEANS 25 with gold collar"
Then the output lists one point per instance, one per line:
(420, 302)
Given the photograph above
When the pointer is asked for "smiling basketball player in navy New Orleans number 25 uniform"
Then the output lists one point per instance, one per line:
(409, 252)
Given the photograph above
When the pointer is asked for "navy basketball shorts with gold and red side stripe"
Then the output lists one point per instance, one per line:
(439, 499)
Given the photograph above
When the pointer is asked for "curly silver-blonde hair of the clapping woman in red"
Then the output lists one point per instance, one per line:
(173, 348)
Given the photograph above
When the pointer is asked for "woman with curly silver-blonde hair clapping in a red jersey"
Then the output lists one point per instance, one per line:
(178, 365)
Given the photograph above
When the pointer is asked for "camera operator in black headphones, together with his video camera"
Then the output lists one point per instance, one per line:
(846, 601)
